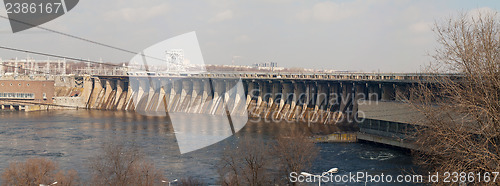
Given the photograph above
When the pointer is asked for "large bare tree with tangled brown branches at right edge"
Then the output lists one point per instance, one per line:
(461, 128)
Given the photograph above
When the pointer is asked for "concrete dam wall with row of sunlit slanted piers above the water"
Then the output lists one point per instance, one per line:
(326, 102)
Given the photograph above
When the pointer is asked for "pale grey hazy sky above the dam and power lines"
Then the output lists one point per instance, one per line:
(353, 35)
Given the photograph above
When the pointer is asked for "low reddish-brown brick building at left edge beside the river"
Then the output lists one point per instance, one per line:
(18, 94)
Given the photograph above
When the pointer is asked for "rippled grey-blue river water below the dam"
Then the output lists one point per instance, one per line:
(71, 137)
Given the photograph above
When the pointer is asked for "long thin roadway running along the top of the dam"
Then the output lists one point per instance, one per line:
(379, 77)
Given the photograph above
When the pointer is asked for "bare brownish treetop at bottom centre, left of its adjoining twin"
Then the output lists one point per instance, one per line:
(247, 164)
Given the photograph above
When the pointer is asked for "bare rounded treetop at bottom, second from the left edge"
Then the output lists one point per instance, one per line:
(118, 164)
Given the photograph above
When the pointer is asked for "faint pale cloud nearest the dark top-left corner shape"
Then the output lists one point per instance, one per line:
(137, 14)
